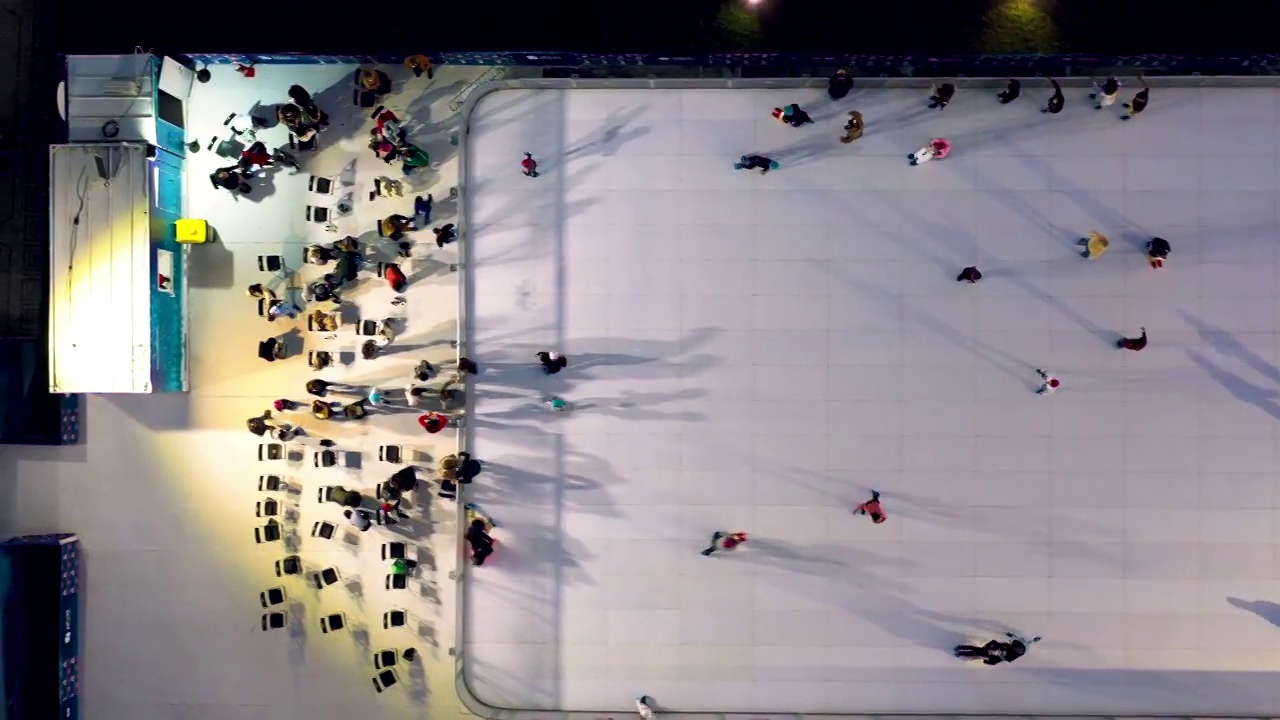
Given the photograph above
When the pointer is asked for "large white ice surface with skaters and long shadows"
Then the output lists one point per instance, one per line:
(757, 353)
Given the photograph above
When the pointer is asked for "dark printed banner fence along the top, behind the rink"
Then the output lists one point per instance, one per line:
(792, 65)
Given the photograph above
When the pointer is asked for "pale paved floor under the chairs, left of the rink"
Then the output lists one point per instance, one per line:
(164, 490)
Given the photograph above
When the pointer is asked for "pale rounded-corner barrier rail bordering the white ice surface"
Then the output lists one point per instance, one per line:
(469, 699)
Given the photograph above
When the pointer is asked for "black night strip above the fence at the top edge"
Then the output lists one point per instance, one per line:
(679, 26)
